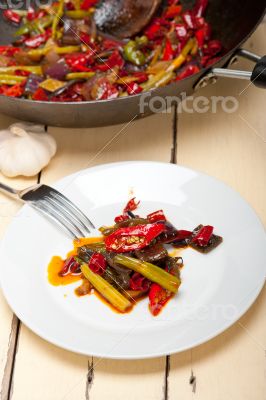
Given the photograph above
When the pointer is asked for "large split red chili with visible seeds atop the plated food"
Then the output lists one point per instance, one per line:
(133, 237)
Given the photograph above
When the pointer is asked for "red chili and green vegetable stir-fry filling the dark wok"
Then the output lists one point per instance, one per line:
(64, 52)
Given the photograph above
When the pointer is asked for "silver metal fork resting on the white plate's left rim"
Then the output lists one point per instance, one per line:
(56, 207)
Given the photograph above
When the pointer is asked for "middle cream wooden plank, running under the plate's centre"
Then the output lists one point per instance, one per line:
(49, 372)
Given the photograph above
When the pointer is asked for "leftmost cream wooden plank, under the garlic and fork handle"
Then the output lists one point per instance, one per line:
(9, 322)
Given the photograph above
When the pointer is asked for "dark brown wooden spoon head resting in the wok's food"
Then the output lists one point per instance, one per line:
(124, 18)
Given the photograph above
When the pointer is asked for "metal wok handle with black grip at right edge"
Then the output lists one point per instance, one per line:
(257, 76)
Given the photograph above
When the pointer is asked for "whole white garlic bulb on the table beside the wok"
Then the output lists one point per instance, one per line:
(25, 149)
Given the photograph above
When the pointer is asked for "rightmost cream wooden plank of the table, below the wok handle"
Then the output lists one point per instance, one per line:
(232, 148)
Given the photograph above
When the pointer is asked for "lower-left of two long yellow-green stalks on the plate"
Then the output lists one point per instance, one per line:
(114, 297)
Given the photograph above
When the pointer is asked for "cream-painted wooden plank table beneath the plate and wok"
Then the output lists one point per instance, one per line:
(231, 147)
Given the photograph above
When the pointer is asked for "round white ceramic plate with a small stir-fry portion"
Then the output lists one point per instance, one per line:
(216, 288)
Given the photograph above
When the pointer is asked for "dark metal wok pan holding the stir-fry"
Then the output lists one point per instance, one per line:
(232, 21)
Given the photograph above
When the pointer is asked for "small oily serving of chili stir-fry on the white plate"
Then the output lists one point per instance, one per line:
(132, 260)
